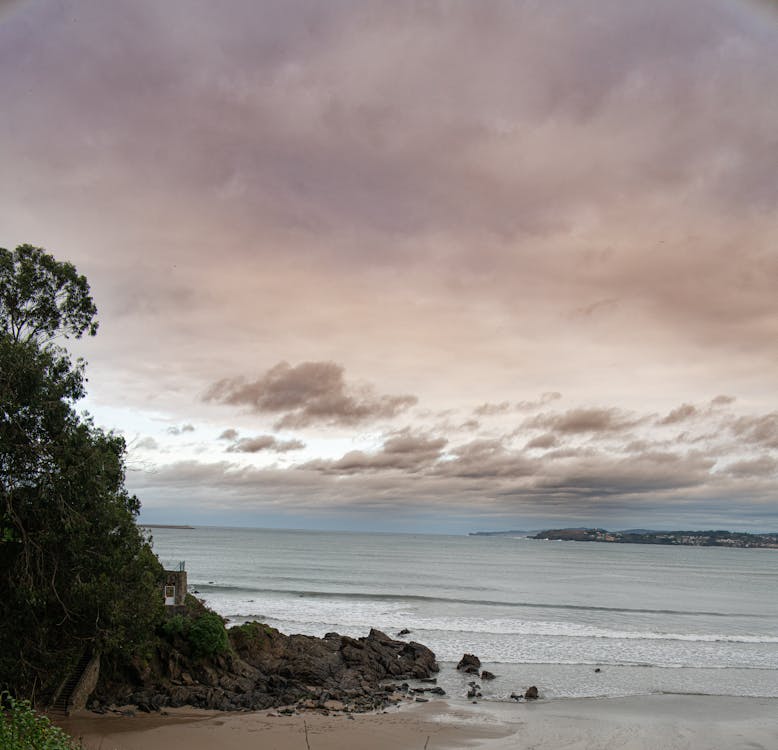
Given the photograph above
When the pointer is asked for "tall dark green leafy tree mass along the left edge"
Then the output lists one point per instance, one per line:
(75, 570)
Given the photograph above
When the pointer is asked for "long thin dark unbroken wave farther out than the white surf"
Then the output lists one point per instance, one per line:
(366, 596)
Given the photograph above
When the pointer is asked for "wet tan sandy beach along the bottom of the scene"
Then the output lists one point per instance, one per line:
(658, 722)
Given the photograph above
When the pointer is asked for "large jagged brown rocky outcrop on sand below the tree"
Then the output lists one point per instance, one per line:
(265, 668)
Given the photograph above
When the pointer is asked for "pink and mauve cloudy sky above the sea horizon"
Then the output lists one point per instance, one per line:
(414, 266)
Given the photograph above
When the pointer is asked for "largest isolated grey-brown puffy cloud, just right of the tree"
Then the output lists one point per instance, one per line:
(309, 393)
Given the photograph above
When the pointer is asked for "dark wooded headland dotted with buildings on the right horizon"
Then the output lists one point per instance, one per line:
(642, 536)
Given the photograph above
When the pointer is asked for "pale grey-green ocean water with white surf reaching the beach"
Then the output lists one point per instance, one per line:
(653, 619)
